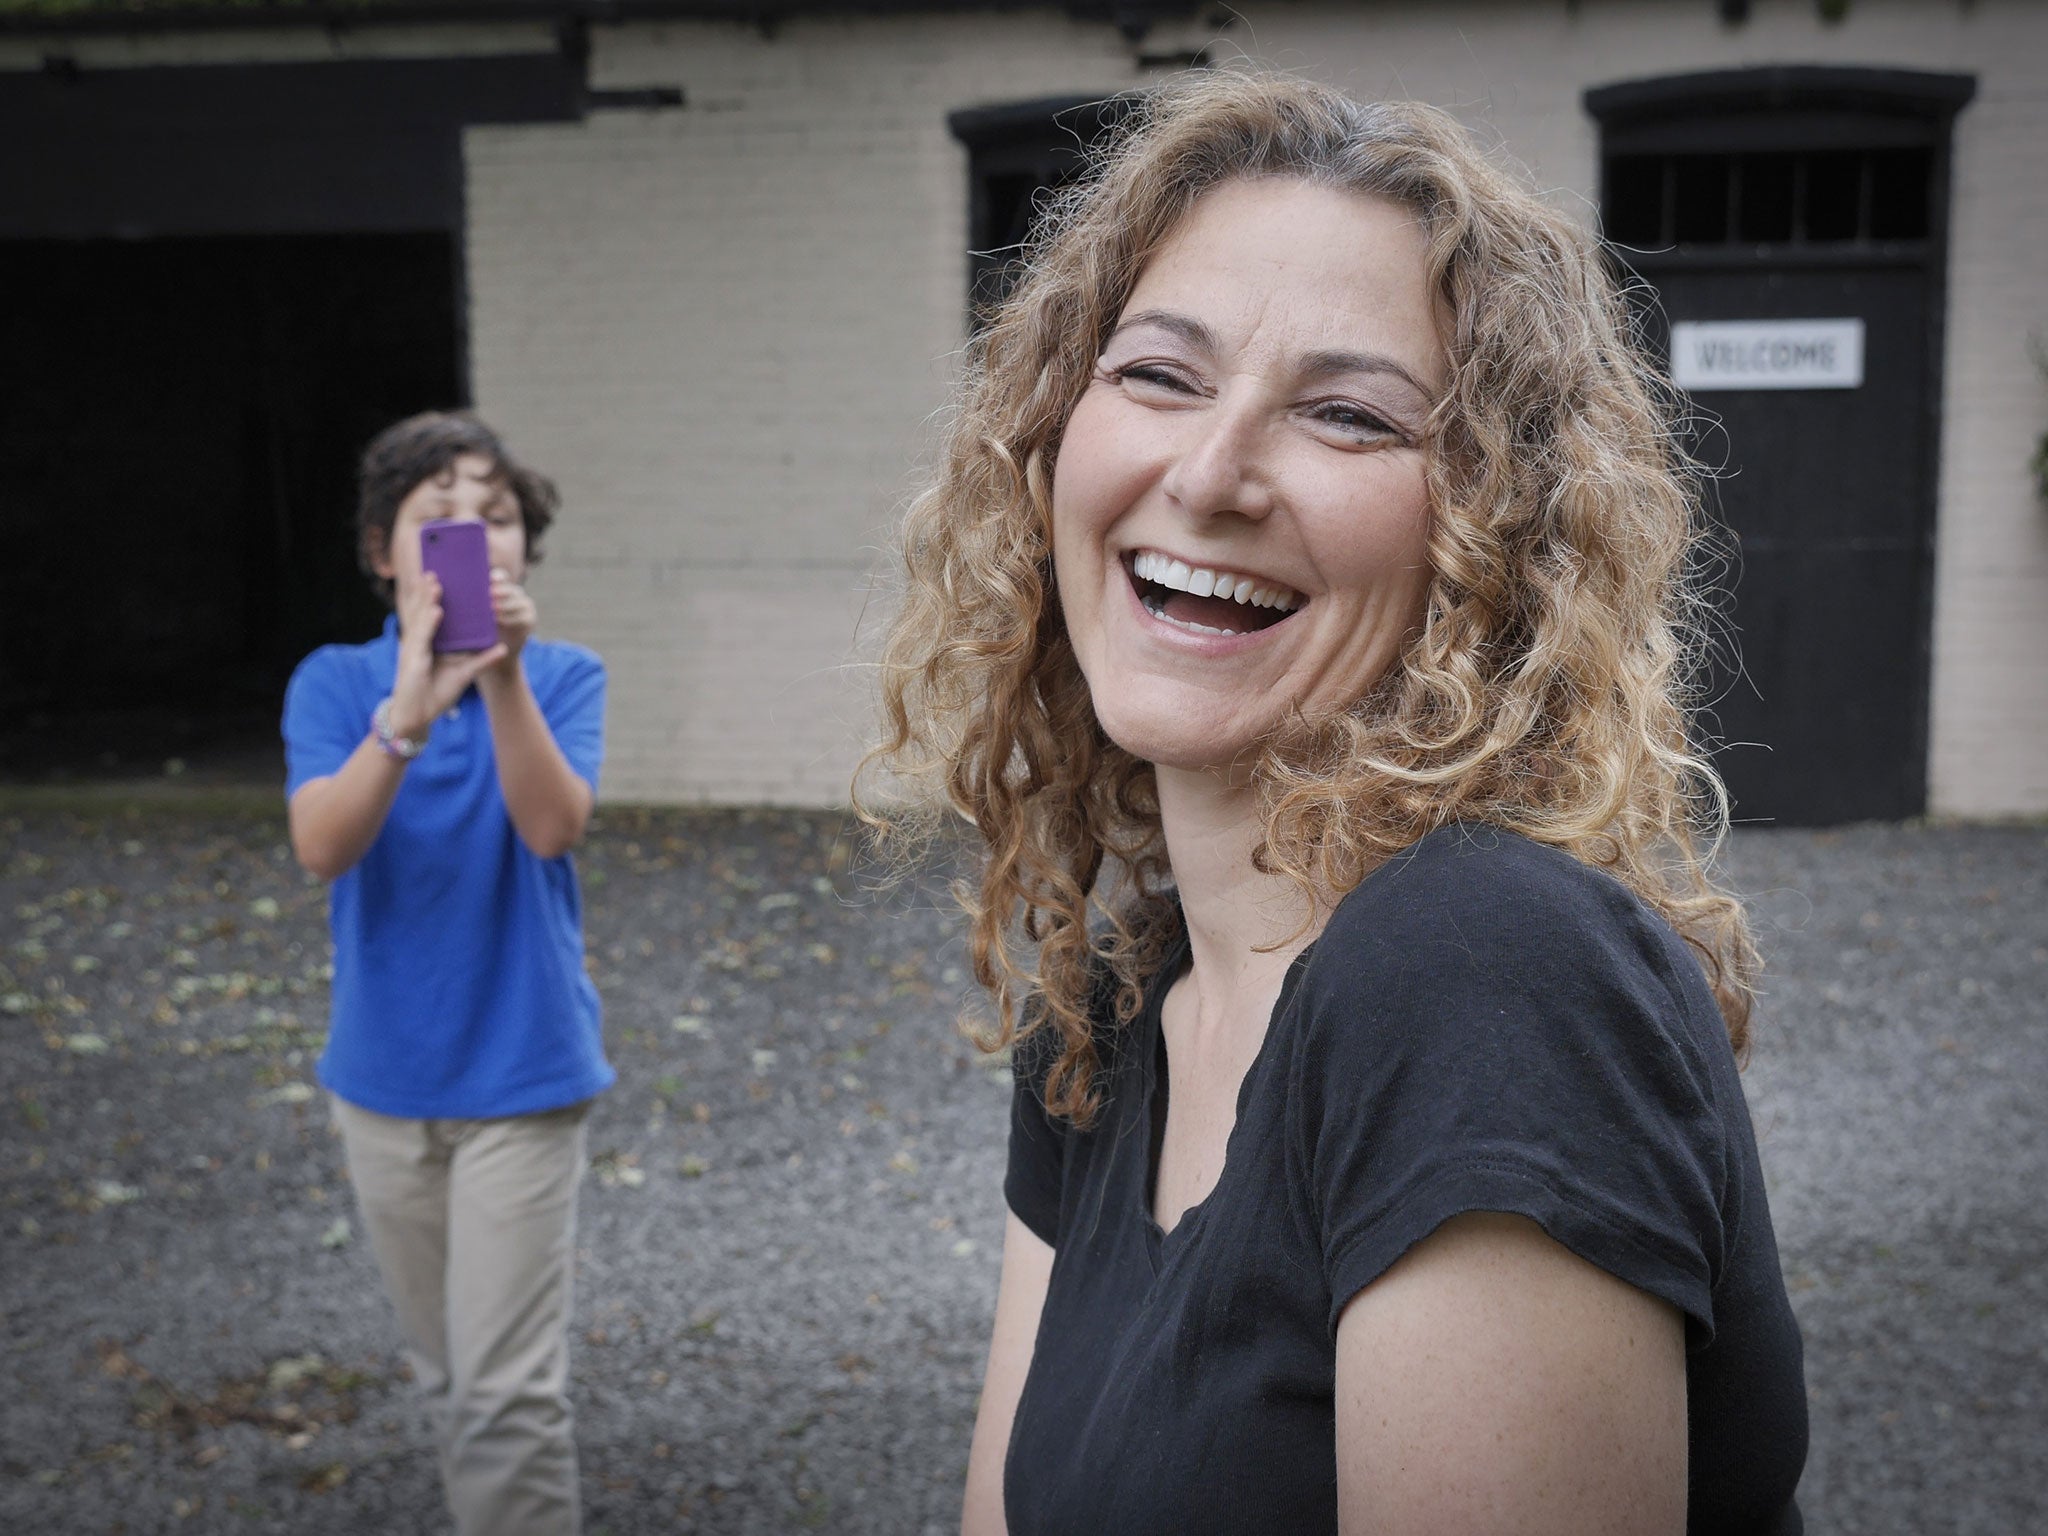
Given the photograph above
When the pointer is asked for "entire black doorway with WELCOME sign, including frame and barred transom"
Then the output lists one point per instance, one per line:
(1783, 198)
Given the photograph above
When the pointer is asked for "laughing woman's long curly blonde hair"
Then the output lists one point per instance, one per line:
(1545, 693)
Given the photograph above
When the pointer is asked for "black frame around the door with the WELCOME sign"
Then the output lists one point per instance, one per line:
(1816, 108)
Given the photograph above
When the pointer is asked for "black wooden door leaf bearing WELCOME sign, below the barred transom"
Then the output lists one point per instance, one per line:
(1820, 681)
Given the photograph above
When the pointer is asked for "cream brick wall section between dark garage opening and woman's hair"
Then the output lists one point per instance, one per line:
(726, 329)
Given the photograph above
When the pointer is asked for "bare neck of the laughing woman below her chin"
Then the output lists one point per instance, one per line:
(1232, 908)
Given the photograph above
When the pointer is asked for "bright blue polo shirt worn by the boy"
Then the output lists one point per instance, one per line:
(460, 986)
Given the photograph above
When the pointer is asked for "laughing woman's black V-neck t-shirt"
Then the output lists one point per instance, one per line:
(1486, 1025)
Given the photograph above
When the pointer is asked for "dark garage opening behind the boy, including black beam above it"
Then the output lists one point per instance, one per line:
(222, 282)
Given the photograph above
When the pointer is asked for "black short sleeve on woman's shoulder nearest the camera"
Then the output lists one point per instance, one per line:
(1496, 1027)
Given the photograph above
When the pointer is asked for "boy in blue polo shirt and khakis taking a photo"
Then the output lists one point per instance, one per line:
(441, 796)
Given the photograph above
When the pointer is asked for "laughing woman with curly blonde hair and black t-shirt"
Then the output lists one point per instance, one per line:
(1299, 620)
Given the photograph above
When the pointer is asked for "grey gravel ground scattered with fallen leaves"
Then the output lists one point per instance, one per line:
(792, 1228)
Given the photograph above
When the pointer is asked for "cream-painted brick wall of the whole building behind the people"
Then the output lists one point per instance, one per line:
(726, 329)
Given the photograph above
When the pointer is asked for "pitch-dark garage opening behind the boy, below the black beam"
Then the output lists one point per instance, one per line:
(179, 423)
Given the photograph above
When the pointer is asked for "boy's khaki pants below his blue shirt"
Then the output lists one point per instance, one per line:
(474, 1228)
